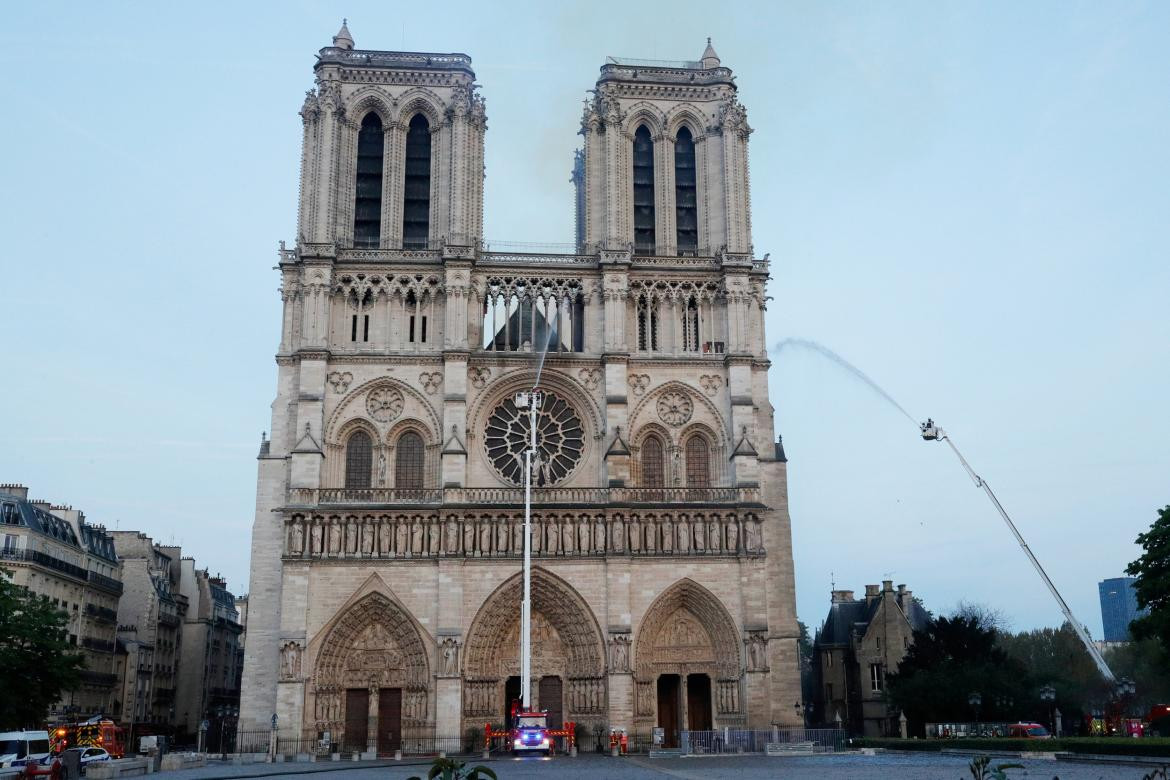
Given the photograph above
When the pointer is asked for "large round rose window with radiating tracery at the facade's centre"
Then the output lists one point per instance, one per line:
(560, 441)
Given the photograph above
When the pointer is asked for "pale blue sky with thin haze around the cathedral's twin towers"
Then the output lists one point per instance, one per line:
(969, 202)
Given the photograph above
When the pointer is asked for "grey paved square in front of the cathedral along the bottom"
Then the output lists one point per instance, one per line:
(850, 767)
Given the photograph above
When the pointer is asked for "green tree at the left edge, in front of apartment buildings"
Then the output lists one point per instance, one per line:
(36, 655)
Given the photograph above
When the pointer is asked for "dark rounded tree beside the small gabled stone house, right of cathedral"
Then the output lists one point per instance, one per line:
(948, 661)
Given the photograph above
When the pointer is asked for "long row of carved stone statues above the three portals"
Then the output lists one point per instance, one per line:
(404, 536)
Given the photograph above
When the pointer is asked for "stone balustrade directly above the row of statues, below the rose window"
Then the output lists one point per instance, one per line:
(515, 496)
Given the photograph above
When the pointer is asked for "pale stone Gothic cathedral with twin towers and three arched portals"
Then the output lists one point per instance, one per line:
(388, 541)
